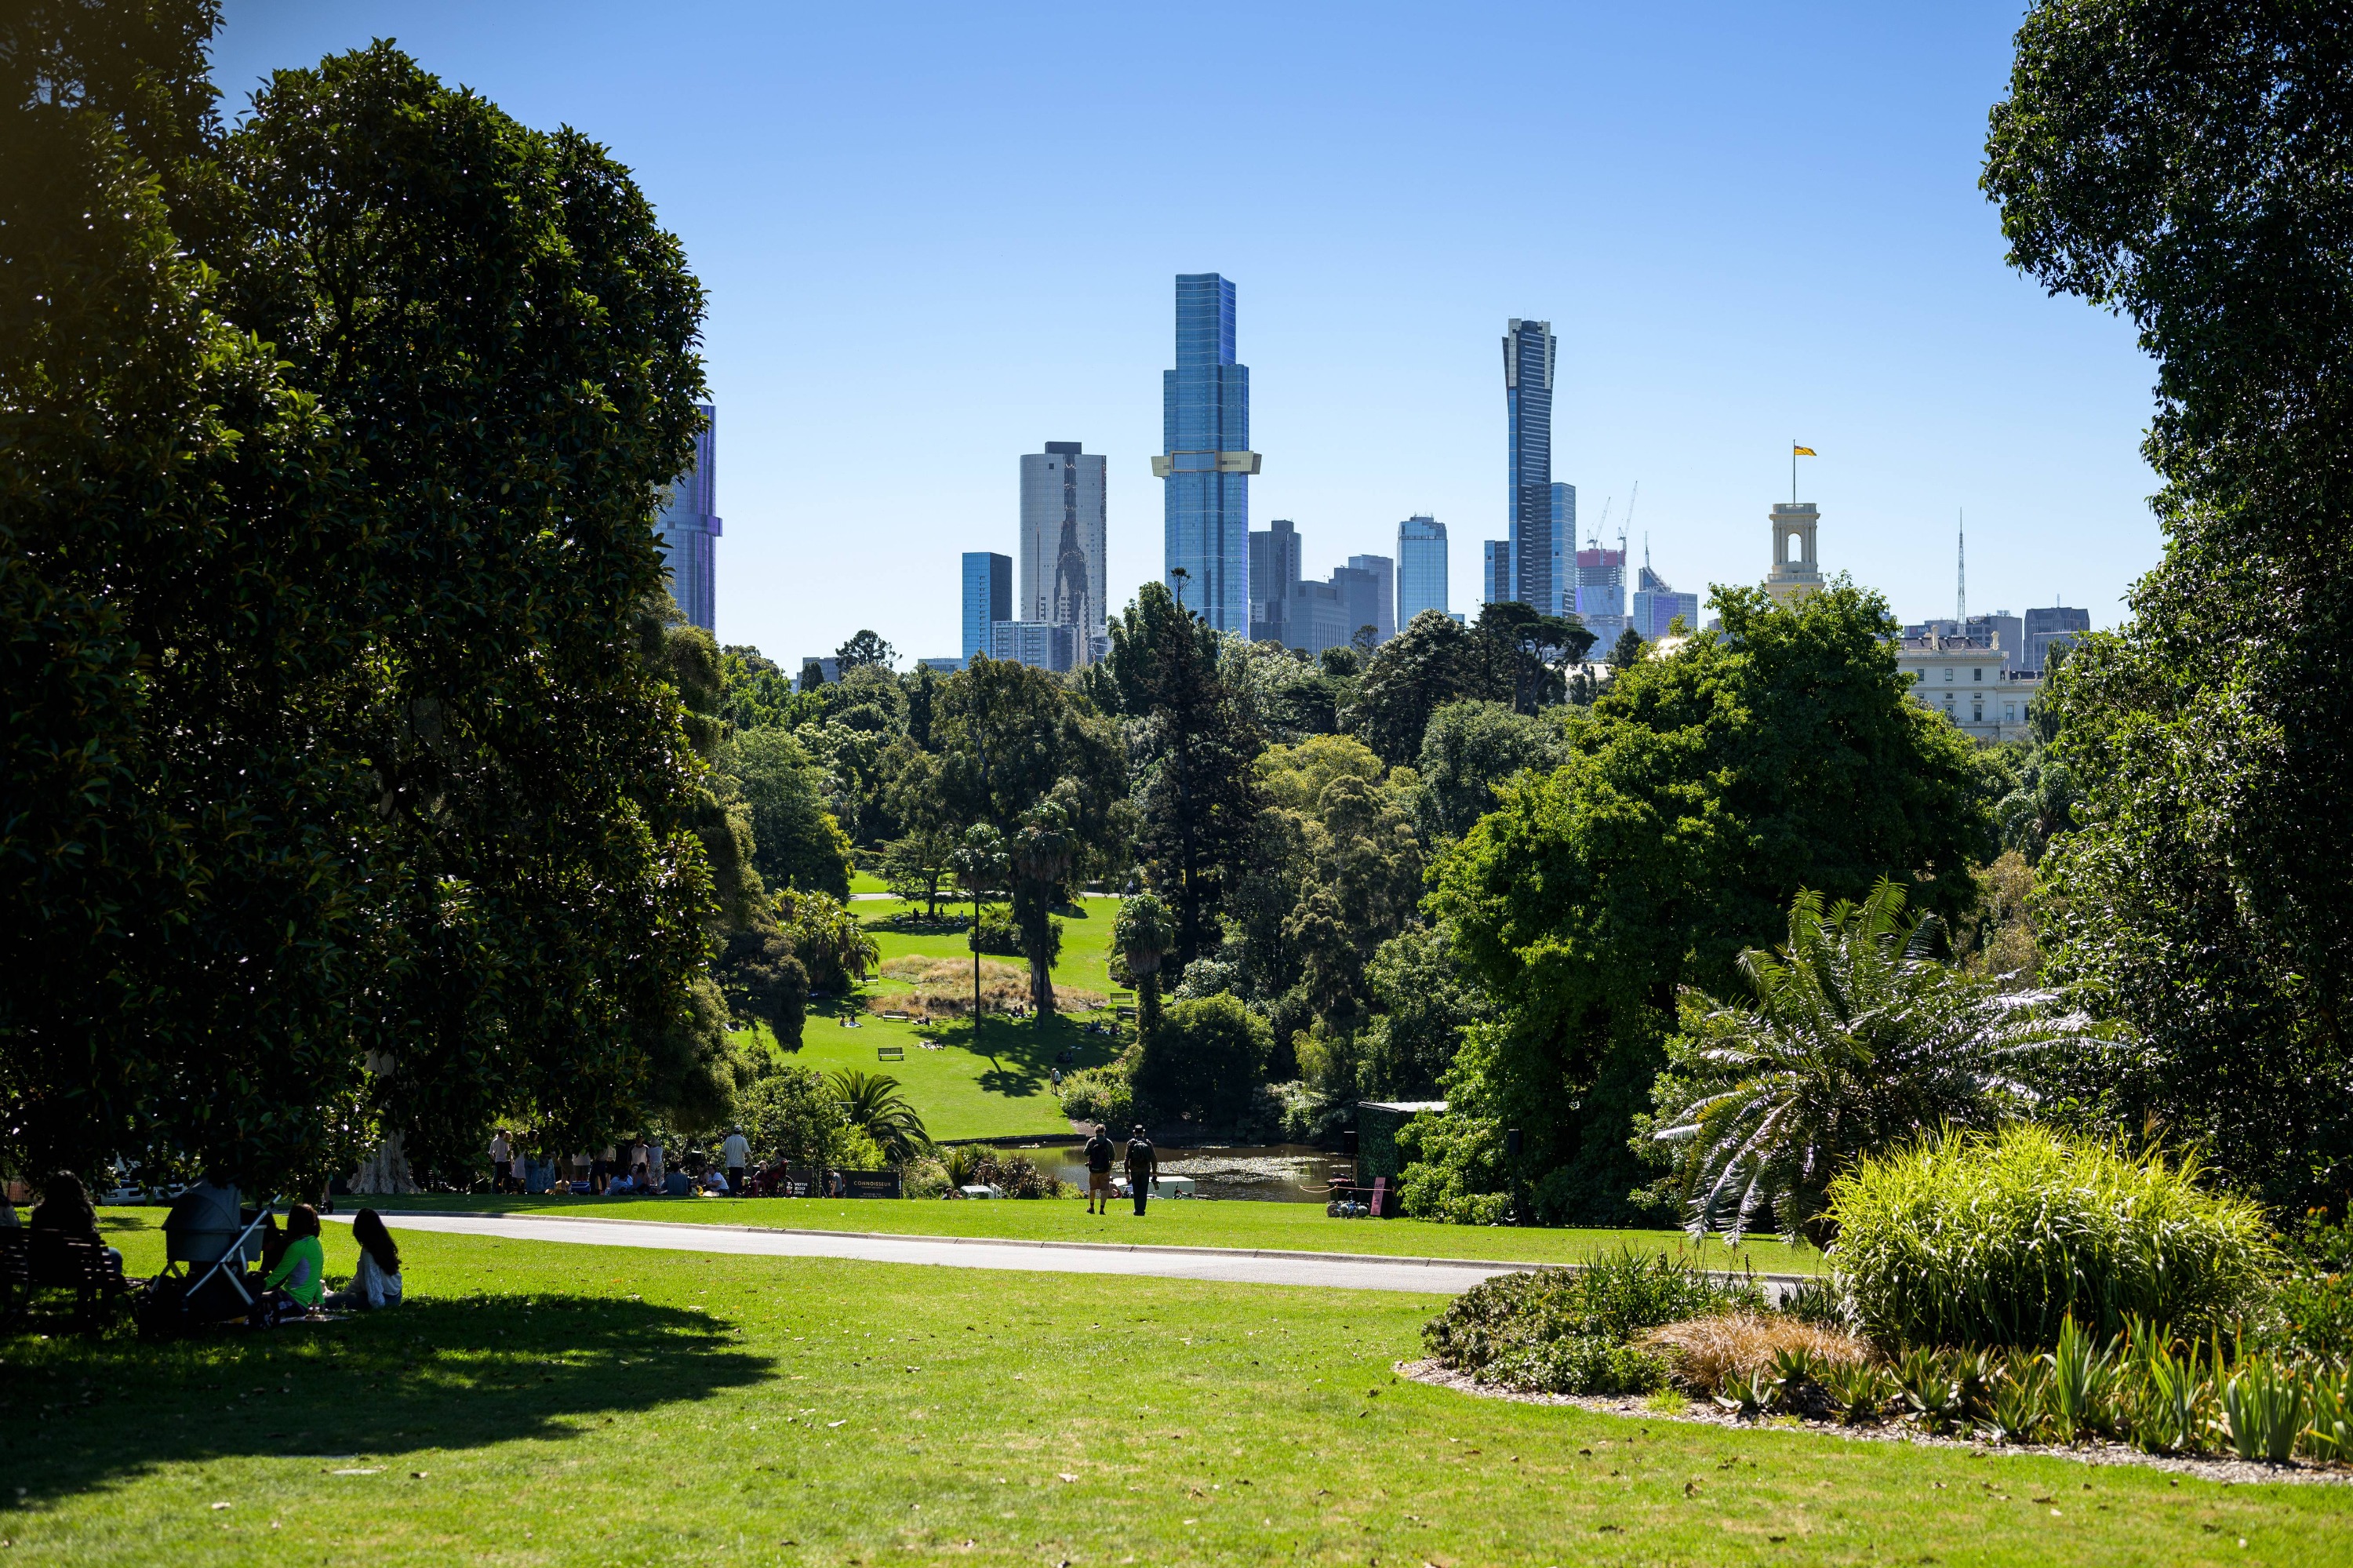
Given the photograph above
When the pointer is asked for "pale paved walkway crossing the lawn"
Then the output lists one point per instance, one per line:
(1345, 1273)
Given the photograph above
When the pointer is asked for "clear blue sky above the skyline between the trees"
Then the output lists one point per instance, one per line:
(938, 237)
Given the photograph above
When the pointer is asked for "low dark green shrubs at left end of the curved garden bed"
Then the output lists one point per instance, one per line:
(1575, 1331)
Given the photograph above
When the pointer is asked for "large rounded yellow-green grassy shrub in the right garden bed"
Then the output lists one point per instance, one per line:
(1973, 1240)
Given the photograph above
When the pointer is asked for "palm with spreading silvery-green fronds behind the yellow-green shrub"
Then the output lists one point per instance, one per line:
(1858, 1042)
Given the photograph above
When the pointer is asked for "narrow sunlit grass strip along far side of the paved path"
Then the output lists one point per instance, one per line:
(1288, 1228)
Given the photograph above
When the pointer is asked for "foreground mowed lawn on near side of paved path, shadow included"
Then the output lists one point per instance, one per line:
(552, 1404)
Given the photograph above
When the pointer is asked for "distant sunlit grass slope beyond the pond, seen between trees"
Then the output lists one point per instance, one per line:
(999, 1089)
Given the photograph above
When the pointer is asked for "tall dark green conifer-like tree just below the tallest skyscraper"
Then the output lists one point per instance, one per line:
(1197, 788)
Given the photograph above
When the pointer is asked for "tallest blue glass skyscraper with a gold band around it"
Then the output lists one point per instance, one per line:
(1206, 458)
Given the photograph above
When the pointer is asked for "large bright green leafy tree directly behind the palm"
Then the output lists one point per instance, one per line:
(1698, 797)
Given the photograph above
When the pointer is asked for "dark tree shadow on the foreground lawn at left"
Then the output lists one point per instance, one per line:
(79, 1414)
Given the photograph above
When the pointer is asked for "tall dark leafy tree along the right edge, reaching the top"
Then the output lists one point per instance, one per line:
(2189, 164)
